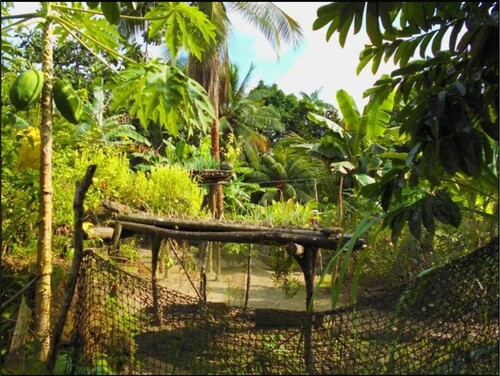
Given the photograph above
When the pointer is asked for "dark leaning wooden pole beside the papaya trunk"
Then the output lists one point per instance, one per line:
(81, 190)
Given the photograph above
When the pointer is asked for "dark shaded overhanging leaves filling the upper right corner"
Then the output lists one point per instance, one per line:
(446, 101)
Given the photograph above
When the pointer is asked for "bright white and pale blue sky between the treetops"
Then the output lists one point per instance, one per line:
(315, 65)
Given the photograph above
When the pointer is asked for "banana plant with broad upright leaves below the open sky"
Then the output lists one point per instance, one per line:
(353, 150)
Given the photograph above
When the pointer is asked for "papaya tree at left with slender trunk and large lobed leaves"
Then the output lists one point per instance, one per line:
(94, 27)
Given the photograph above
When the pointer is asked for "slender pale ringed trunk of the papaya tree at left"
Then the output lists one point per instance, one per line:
(44, 257)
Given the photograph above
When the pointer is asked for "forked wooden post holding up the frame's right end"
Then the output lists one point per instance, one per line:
(306, 257)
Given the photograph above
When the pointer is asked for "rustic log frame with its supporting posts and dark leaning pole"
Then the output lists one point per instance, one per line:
(303, 245)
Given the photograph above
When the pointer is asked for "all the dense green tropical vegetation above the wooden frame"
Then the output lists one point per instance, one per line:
(422, 153)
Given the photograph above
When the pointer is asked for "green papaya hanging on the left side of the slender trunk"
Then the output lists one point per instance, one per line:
(26, 89)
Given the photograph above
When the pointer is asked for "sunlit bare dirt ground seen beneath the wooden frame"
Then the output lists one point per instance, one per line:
(229, 287)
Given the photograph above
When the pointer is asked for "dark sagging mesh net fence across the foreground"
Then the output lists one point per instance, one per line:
(443, 322)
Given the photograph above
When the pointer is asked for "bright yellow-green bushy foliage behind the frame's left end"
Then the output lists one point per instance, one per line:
(164, 190)
